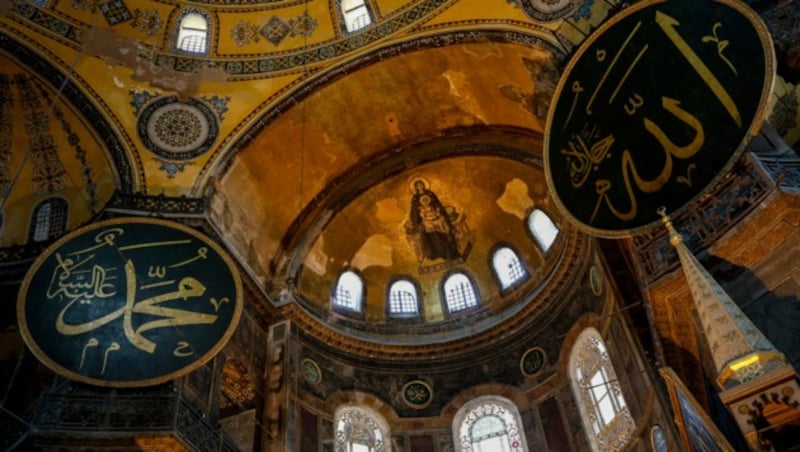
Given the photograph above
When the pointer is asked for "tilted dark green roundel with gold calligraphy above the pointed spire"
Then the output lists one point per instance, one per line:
(654, 107)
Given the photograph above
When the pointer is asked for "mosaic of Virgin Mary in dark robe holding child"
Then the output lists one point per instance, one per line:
(438, 233)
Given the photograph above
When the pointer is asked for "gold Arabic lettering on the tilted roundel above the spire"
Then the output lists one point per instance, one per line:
(586, 151)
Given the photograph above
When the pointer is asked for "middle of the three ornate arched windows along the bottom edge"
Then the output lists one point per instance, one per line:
(489, 424)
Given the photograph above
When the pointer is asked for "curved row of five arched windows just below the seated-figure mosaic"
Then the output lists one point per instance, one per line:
(458, 291)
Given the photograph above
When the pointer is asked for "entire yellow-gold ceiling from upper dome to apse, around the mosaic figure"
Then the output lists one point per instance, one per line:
(305, 137)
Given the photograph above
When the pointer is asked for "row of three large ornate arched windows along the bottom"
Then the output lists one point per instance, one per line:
(493, 424)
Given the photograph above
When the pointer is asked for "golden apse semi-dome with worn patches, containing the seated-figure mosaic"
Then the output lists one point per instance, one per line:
(358, 151)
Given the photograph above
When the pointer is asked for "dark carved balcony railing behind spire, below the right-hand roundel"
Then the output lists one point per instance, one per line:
(743, 188)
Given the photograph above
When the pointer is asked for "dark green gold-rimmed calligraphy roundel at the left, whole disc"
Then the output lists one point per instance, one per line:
(129, 302)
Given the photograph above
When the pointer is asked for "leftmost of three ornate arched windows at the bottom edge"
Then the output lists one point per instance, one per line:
(359, 429)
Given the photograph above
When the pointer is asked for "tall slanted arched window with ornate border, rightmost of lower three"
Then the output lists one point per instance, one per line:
(606, 417)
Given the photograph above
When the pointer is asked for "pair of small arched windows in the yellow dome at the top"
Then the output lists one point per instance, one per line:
(194, 27)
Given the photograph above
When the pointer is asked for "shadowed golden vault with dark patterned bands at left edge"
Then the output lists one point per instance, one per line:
(46, 150)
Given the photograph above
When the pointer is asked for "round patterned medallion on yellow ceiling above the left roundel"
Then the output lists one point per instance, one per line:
(177, 130)
